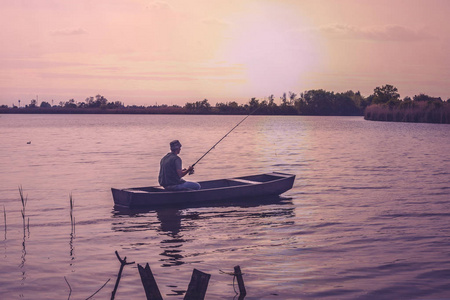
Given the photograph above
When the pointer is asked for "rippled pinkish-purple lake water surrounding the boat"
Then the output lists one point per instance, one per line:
(368, 217)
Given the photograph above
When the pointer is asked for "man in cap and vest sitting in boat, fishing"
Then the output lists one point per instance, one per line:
(171, 172)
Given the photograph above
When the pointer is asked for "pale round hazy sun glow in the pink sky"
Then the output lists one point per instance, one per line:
(272, 50)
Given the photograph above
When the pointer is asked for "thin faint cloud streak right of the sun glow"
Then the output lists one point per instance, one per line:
(384, 33)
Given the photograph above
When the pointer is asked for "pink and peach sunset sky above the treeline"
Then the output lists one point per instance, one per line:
(145, 52)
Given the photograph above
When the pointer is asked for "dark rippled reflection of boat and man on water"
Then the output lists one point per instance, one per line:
(171, 223)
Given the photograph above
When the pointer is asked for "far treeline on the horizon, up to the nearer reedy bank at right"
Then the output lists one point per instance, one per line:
(314, 102)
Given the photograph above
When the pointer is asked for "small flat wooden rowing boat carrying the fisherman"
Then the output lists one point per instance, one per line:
(213, 190)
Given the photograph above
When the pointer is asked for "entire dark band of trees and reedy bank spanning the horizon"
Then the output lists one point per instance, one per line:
(378, 106)
